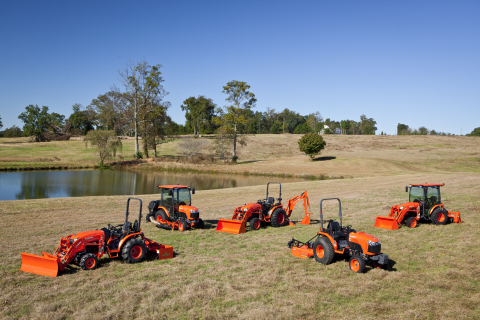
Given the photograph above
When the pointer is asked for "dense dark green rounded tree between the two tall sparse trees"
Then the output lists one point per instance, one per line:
(199, 113)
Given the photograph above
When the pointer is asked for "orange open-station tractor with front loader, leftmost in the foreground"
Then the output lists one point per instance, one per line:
(85, 248)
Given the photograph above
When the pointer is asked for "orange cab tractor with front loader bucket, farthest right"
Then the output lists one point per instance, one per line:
(424, 203)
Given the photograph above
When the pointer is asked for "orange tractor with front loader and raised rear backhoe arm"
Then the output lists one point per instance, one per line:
(266, 210)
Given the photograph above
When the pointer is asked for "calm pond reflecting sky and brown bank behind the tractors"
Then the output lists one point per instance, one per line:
(80, 183)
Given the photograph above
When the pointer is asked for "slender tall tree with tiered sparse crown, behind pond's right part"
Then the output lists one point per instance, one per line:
(231, 117)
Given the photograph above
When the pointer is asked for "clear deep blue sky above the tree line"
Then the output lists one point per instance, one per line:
(411, 62)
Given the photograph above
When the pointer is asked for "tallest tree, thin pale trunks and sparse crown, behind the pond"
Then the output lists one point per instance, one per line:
(143, 91)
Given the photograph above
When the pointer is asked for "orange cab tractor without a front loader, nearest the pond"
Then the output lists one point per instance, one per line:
(174, 211)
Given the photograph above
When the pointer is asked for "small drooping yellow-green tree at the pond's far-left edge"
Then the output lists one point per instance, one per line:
(106, 143)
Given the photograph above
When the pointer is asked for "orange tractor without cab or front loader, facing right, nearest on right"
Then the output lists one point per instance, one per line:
(339, 240)
